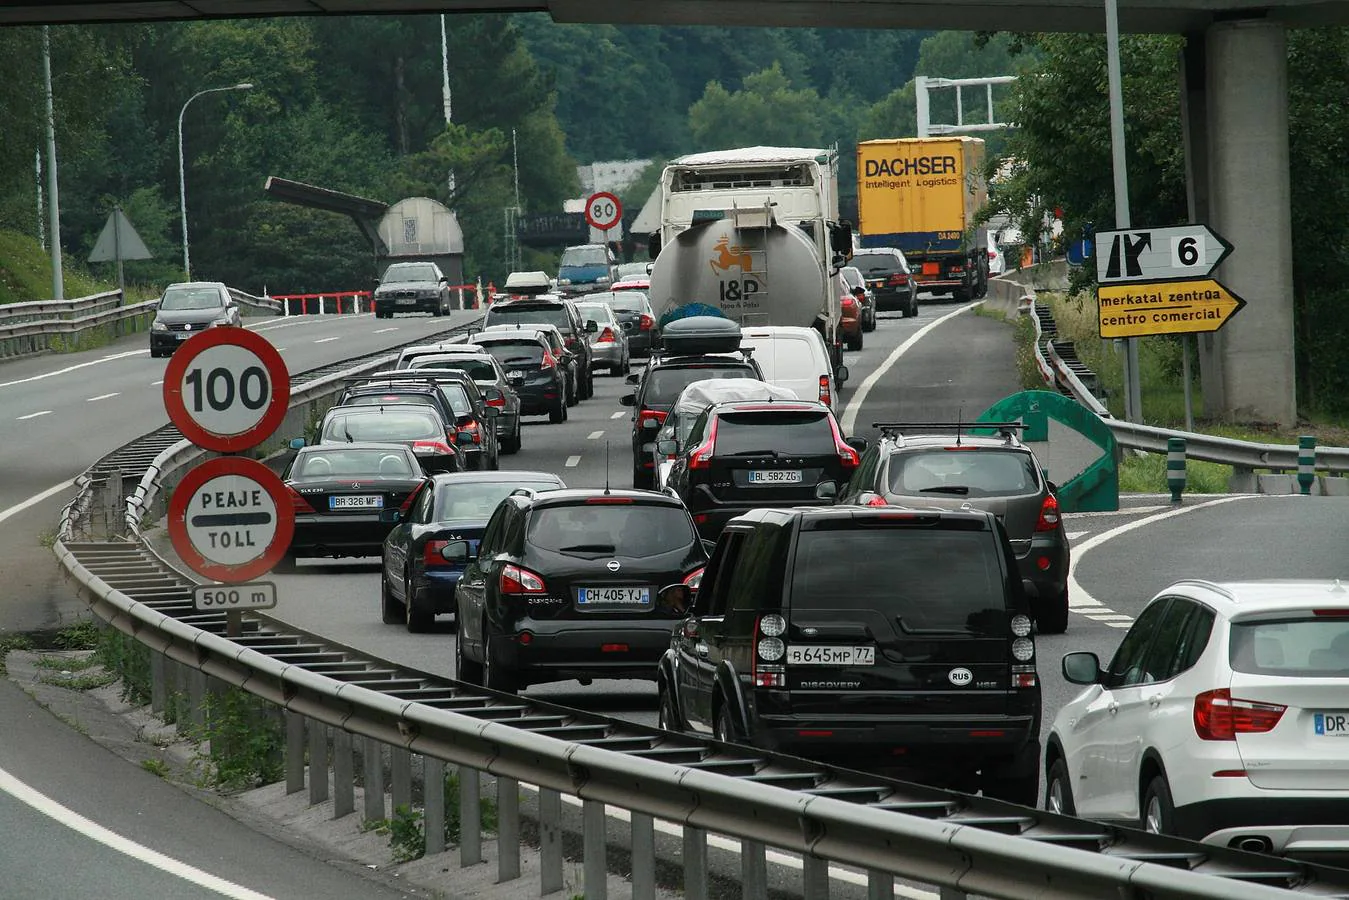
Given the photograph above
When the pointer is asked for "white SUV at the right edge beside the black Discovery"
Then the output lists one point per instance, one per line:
(1224, 717)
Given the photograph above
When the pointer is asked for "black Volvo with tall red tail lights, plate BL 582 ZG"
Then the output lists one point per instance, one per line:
(743, 455)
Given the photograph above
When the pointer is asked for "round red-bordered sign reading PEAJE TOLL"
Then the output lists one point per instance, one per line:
(231, 520)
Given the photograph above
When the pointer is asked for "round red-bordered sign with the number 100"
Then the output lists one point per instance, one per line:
(227, 389)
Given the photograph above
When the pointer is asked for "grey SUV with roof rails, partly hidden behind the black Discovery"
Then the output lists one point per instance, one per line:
(957, 468)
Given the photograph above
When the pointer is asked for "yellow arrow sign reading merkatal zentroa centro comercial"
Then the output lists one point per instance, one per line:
(1166, 308)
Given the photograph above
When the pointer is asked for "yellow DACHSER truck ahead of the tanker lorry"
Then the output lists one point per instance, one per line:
(921, 195)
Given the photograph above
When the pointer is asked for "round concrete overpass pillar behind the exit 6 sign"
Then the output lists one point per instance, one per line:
(1250, 204)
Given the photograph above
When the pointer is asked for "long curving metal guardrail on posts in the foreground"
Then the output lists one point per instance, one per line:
(888, 829)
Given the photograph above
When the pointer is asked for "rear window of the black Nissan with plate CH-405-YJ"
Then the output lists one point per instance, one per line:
(619, 530)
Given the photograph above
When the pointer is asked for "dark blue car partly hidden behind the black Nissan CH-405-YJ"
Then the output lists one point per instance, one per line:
(416, 581)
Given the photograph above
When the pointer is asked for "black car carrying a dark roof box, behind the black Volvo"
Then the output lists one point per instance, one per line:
(695, 349)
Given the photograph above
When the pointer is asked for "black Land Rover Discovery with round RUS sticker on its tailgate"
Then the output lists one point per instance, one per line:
(878, 639)
